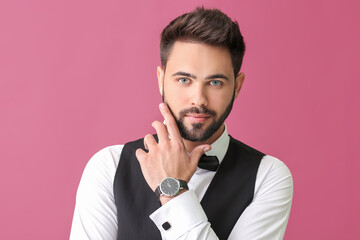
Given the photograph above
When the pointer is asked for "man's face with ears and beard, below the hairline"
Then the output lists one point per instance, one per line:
(199, 88)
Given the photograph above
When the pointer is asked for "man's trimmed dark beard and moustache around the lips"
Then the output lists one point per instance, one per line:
(195, 133)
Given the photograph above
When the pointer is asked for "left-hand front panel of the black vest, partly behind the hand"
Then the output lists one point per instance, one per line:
(134, 199)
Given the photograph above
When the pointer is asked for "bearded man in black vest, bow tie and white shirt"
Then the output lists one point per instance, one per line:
(164, 186)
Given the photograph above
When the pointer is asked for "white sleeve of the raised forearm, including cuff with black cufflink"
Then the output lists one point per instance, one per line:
(183, 218)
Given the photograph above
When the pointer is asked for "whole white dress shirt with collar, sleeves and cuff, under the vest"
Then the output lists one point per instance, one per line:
(95, 215)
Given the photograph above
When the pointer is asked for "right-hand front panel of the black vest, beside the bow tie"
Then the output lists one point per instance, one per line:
(232, 188)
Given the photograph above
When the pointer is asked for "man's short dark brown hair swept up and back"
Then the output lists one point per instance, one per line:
(209, 26)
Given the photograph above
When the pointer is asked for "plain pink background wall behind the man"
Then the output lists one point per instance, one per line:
(76, 76)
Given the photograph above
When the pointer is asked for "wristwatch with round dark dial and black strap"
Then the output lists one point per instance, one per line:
(170, 187)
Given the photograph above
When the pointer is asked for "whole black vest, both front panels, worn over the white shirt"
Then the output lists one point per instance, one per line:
(135, 200)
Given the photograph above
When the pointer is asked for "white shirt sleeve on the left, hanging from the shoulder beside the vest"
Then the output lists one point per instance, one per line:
(95, 214)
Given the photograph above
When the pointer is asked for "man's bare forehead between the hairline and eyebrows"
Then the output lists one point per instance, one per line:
(200, 59)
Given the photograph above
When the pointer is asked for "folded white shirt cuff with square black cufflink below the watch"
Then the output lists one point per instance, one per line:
(179, 215)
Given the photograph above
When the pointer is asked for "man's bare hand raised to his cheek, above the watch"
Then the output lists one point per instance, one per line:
(168, 158)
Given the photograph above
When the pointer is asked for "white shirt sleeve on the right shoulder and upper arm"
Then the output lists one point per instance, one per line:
(267, 216)
